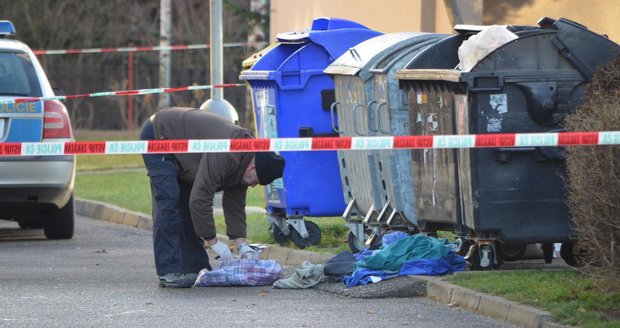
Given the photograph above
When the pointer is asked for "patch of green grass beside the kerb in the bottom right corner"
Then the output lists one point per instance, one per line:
(574, 298)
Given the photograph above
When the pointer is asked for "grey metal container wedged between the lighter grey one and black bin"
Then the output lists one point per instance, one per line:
(392, 113)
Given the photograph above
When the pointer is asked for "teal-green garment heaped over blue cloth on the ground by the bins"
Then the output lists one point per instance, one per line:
(391, 257)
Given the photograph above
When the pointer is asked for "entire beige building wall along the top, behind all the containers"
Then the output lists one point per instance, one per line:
(600, 16)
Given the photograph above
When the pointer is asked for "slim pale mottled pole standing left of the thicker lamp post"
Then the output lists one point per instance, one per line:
(165, 35)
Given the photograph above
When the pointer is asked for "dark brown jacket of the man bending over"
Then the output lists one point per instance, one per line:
(209, 172)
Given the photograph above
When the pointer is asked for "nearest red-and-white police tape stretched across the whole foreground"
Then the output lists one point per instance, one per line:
(504, 140)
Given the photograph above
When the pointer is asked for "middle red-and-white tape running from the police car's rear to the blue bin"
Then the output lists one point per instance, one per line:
(121, 93)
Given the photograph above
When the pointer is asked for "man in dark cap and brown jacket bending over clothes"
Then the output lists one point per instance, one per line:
(183, 186)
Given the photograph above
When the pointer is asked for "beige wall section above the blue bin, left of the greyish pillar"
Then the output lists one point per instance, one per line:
(382, 15)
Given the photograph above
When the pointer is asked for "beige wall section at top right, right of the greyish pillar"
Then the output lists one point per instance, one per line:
(600, 16)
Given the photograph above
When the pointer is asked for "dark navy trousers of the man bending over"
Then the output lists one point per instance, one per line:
(176, 246)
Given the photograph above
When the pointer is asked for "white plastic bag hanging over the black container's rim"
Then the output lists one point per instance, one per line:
(481, 44)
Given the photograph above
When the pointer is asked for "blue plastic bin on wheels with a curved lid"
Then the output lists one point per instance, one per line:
(291, 97)
